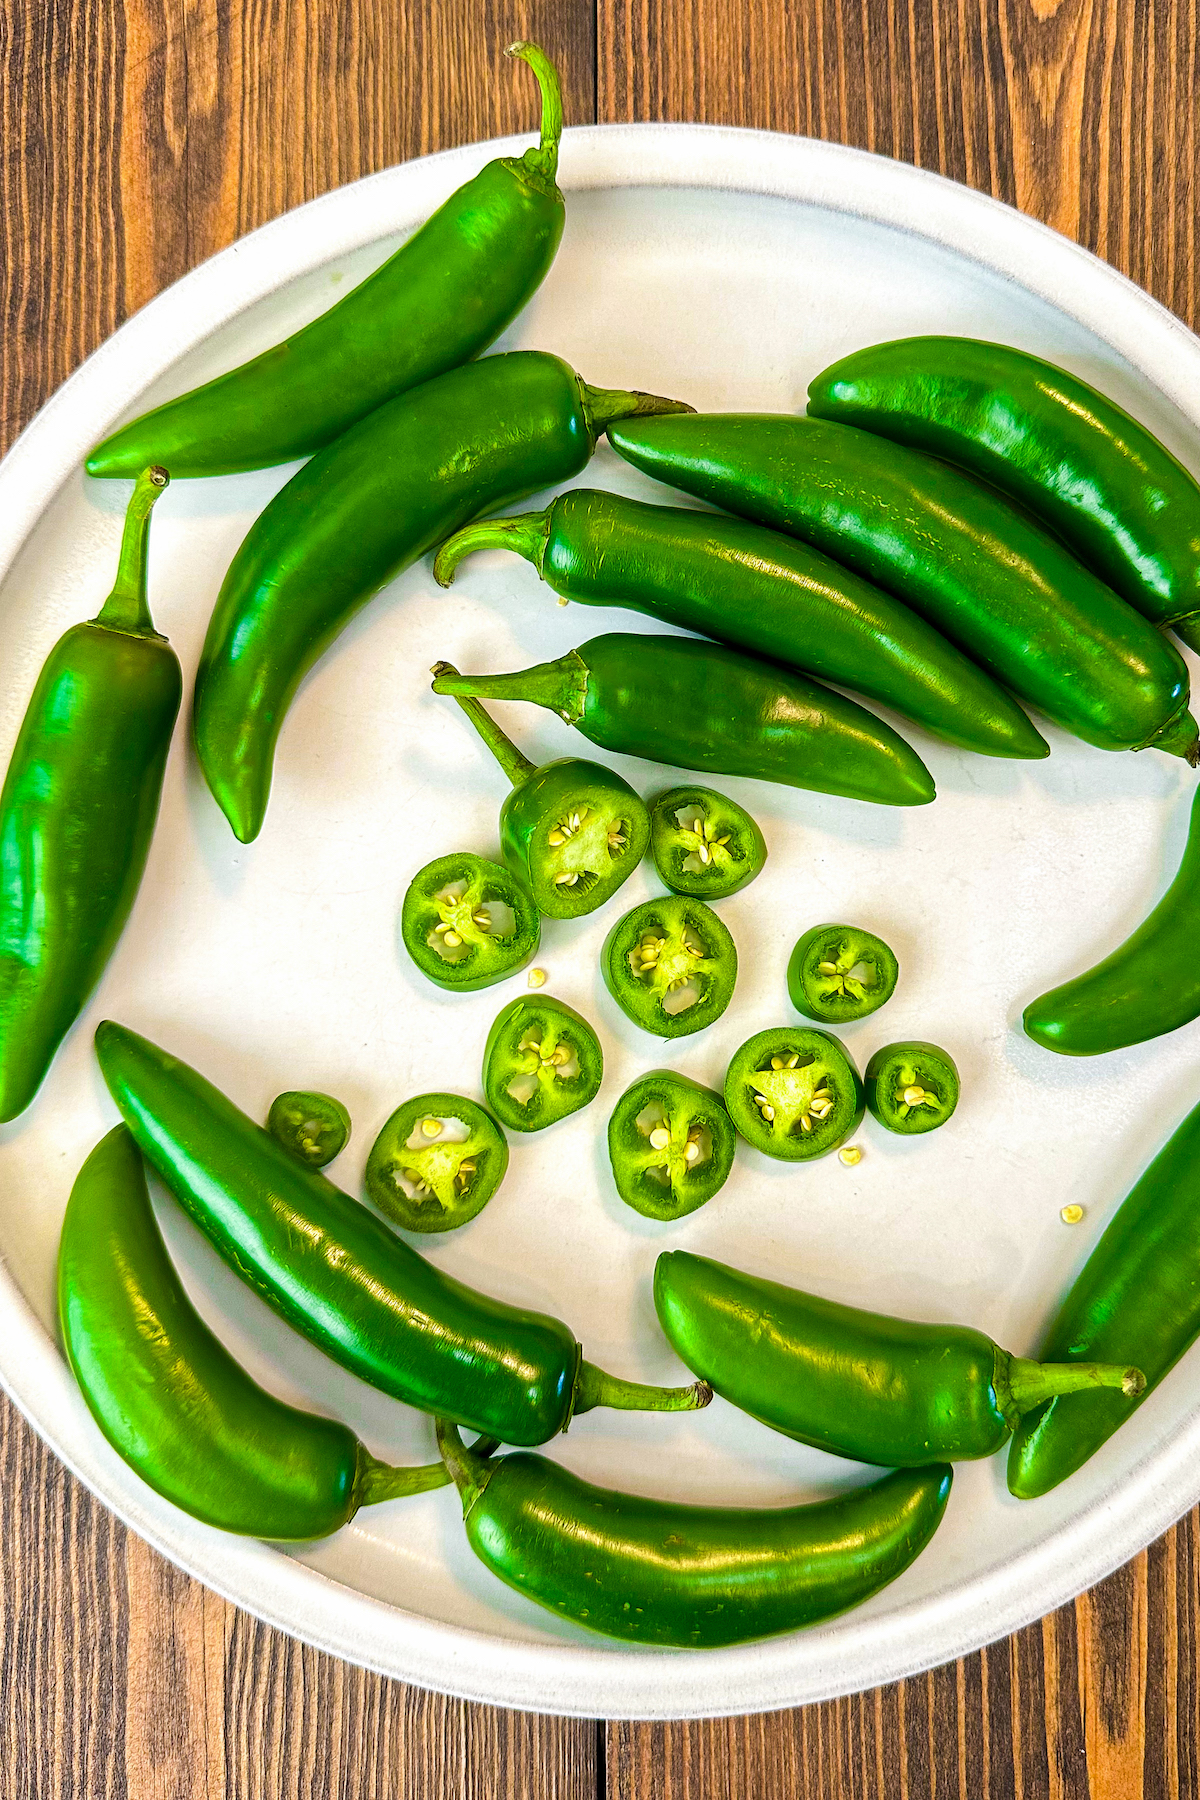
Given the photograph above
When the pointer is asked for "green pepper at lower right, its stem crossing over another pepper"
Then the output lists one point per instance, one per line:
(854, 1383)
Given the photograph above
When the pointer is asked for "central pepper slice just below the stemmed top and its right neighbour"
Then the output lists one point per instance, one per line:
(670, 966)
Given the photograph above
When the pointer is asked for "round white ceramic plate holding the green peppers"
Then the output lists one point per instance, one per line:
(724, 267)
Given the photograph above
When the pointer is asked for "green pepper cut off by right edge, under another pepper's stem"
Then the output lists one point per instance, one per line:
(1142, 1286)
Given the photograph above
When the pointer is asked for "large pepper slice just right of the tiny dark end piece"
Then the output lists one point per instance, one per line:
(429, 1182)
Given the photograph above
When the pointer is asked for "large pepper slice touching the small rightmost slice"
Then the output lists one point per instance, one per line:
(794, 1093)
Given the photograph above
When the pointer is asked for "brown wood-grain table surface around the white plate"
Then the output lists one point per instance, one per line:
(139, 138)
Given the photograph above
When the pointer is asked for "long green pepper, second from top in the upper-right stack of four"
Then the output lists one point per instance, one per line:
(981, 571)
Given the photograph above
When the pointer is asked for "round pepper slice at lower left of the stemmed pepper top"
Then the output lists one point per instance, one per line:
(456, 922)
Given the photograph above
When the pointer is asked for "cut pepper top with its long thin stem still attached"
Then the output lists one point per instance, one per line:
(571, 831)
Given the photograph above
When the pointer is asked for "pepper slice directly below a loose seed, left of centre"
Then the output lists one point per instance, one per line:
(542, 1063)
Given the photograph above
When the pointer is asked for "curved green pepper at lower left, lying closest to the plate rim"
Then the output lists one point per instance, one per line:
(172, 1399)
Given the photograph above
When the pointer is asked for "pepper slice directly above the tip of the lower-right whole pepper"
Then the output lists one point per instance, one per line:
(670, 1144)
